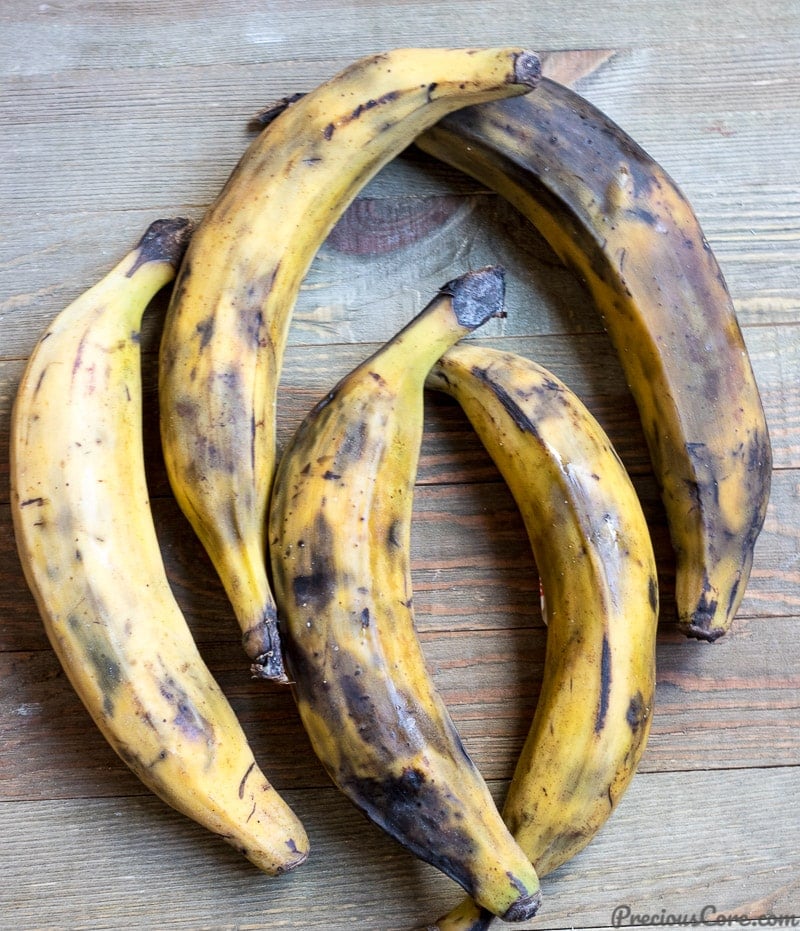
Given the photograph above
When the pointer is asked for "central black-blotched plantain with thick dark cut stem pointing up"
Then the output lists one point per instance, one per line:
(339, 528)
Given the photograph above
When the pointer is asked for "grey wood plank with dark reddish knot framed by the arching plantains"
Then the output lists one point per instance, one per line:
(352, 294)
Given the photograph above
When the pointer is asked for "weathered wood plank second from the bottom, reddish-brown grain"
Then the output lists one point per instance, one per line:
(729, 706)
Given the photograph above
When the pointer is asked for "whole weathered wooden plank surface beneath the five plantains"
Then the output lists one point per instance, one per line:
(112, 114)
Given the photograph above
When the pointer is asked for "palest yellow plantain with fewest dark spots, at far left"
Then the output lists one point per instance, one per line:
(90, 554)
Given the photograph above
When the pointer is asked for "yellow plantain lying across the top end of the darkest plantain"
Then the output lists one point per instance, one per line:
(226, 326)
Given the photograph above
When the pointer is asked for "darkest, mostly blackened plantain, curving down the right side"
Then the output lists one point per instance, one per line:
(610, 212)
